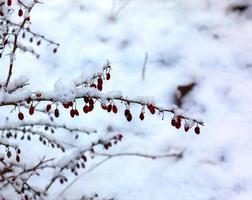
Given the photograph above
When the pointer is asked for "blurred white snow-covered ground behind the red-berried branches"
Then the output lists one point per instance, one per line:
(199, 41)
